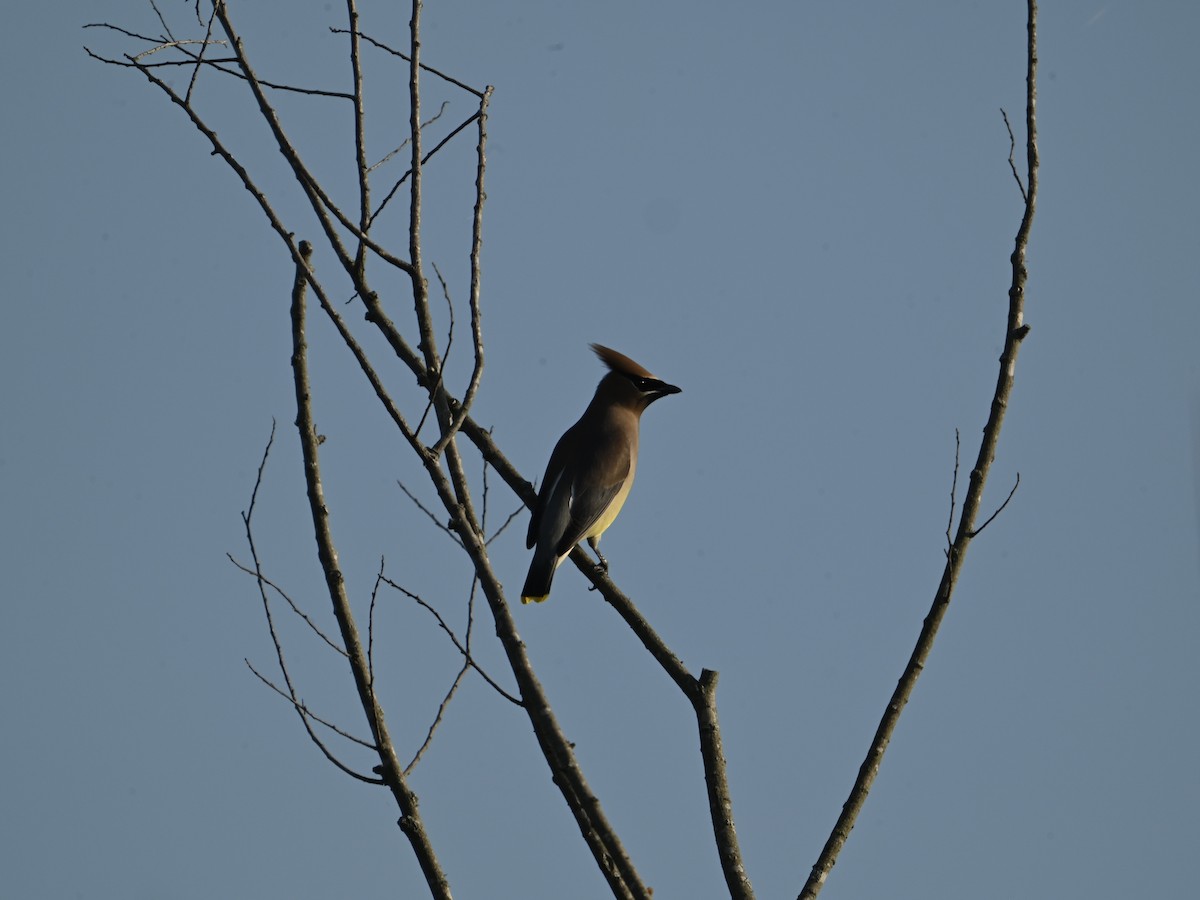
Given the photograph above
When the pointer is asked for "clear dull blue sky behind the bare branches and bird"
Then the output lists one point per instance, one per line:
(801, 214)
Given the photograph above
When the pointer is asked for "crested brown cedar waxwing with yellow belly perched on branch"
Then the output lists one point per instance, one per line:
(591, 471)
